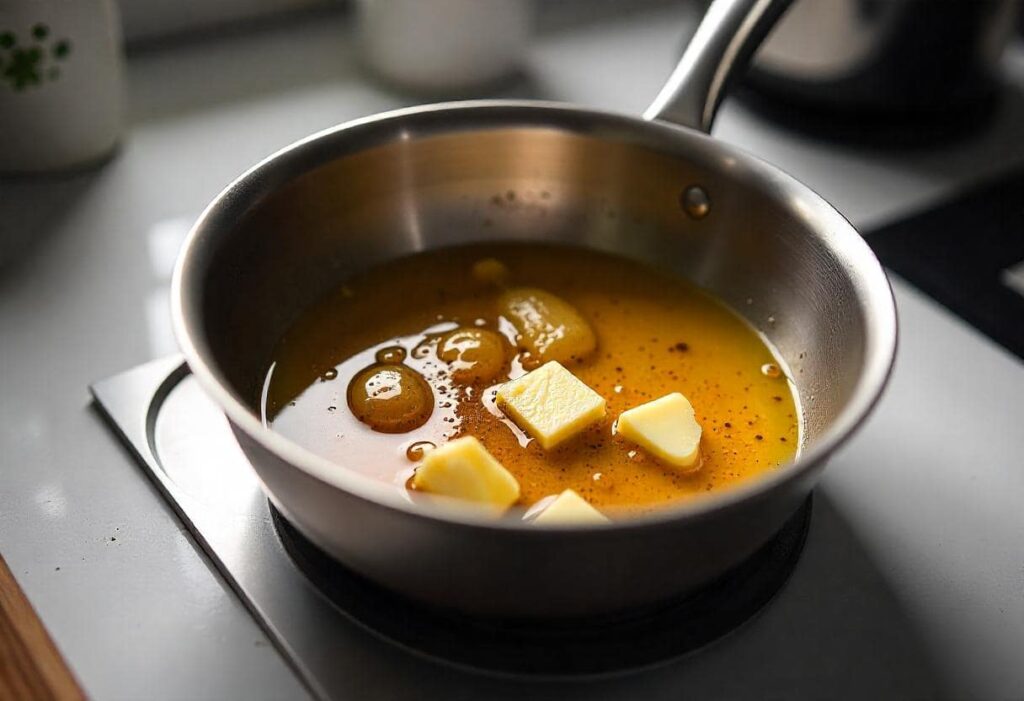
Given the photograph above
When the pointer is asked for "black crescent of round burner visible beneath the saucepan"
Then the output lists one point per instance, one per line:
(592, 646)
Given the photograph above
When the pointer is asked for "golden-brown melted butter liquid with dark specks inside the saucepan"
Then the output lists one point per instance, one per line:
(657, 334)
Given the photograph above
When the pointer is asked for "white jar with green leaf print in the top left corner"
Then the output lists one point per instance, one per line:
(61, 83)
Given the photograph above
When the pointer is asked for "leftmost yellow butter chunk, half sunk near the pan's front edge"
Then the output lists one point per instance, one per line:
(465, 470)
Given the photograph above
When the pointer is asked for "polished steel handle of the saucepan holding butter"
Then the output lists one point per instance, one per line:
(724, 42)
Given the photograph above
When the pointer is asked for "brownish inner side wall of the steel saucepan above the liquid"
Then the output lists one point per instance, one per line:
(753, 249)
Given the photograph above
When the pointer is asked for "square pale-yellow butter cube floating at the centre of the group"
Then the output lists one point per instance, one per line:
(550, 404)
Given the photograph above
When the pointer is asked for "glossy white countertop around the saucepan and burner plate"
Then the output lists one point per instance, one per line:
(927, 498)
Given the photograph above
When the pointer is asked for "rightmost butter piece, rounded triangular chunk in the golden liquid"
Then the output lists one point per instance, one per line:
(666, 428)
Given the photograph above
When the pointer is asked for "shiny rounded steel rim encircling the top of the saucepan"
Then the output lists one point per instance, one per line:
(842, 239)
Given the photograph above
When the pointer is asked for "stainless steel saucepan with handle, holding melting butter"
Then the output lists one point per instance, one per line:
(296, 225)
